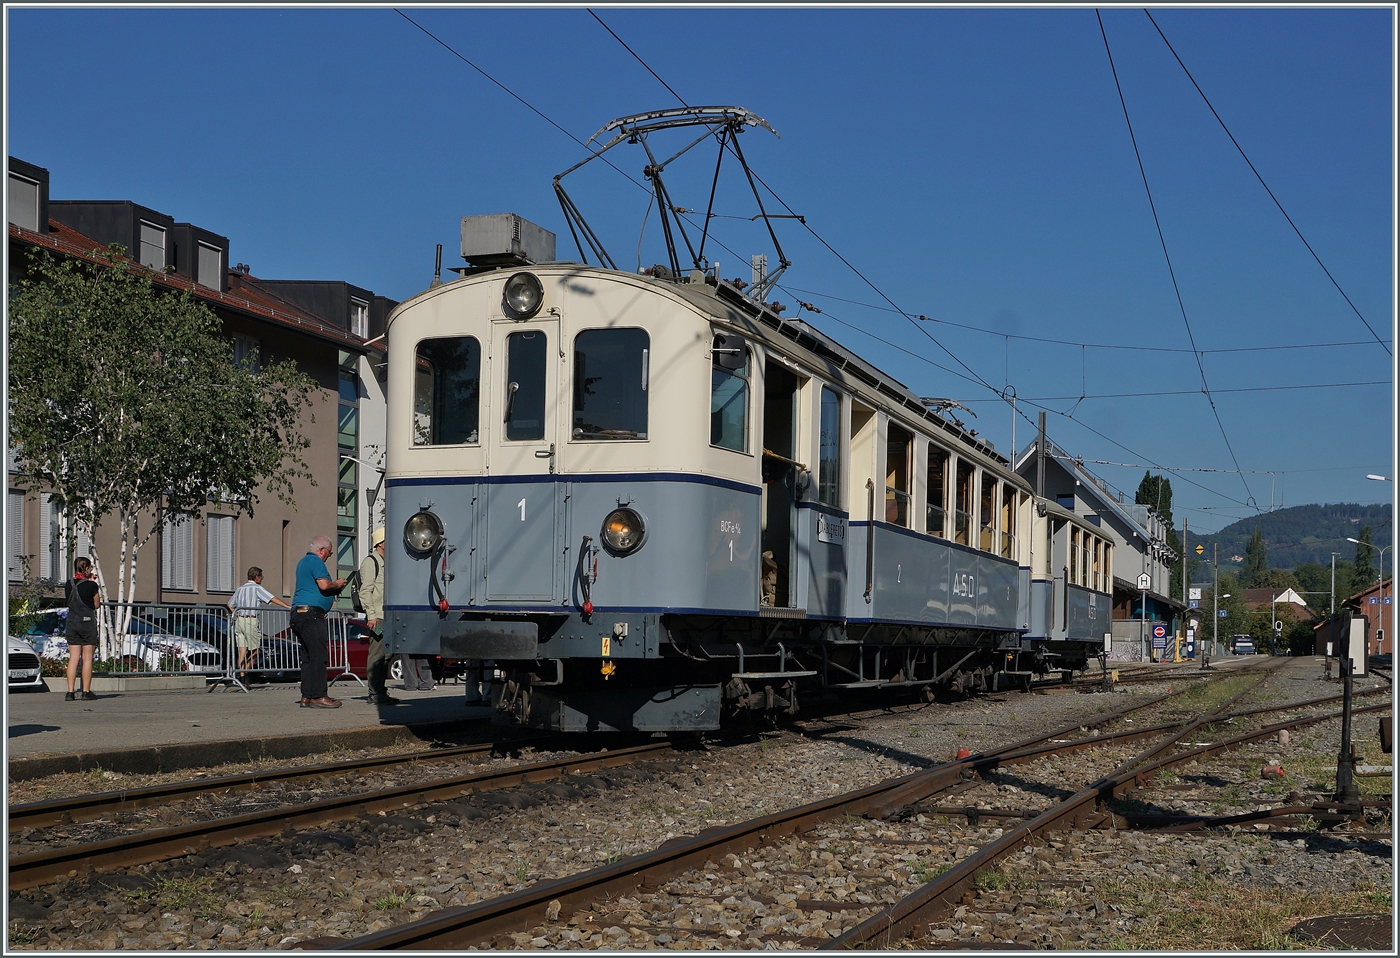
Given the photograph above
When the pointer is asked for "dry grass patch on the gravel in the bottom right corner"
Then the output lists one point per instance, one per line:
(1174, 917)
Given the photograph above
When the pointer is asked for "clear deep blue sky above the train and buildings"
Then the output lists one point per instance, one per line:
(974, 165)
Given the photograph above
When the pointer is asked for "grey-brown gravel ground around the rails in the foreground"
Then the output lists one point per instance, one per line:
(377, 872)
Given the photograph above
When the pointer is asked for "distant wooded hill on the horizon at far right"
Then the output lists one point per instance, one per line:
(1301, 534)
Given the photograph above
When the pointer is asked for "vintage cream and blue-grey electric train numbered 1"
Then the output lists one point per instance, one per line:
(652, 502)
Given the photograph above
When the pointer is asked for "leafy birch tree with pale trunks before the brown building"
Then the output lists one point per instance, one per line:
(125, 400)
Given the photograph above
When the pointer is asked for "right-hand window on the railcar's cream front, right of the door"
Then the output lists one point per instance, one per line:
(611, 372)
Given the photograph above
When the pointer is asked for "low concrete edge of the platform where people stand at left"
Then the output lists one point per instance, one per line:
(194, 756)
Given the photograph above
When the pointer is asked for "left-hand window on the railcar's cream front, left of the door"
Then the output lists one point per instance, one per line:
(447, 380)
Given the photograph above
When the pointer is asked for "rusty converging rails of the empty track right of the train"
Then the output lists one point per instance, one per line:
(552, 903)
